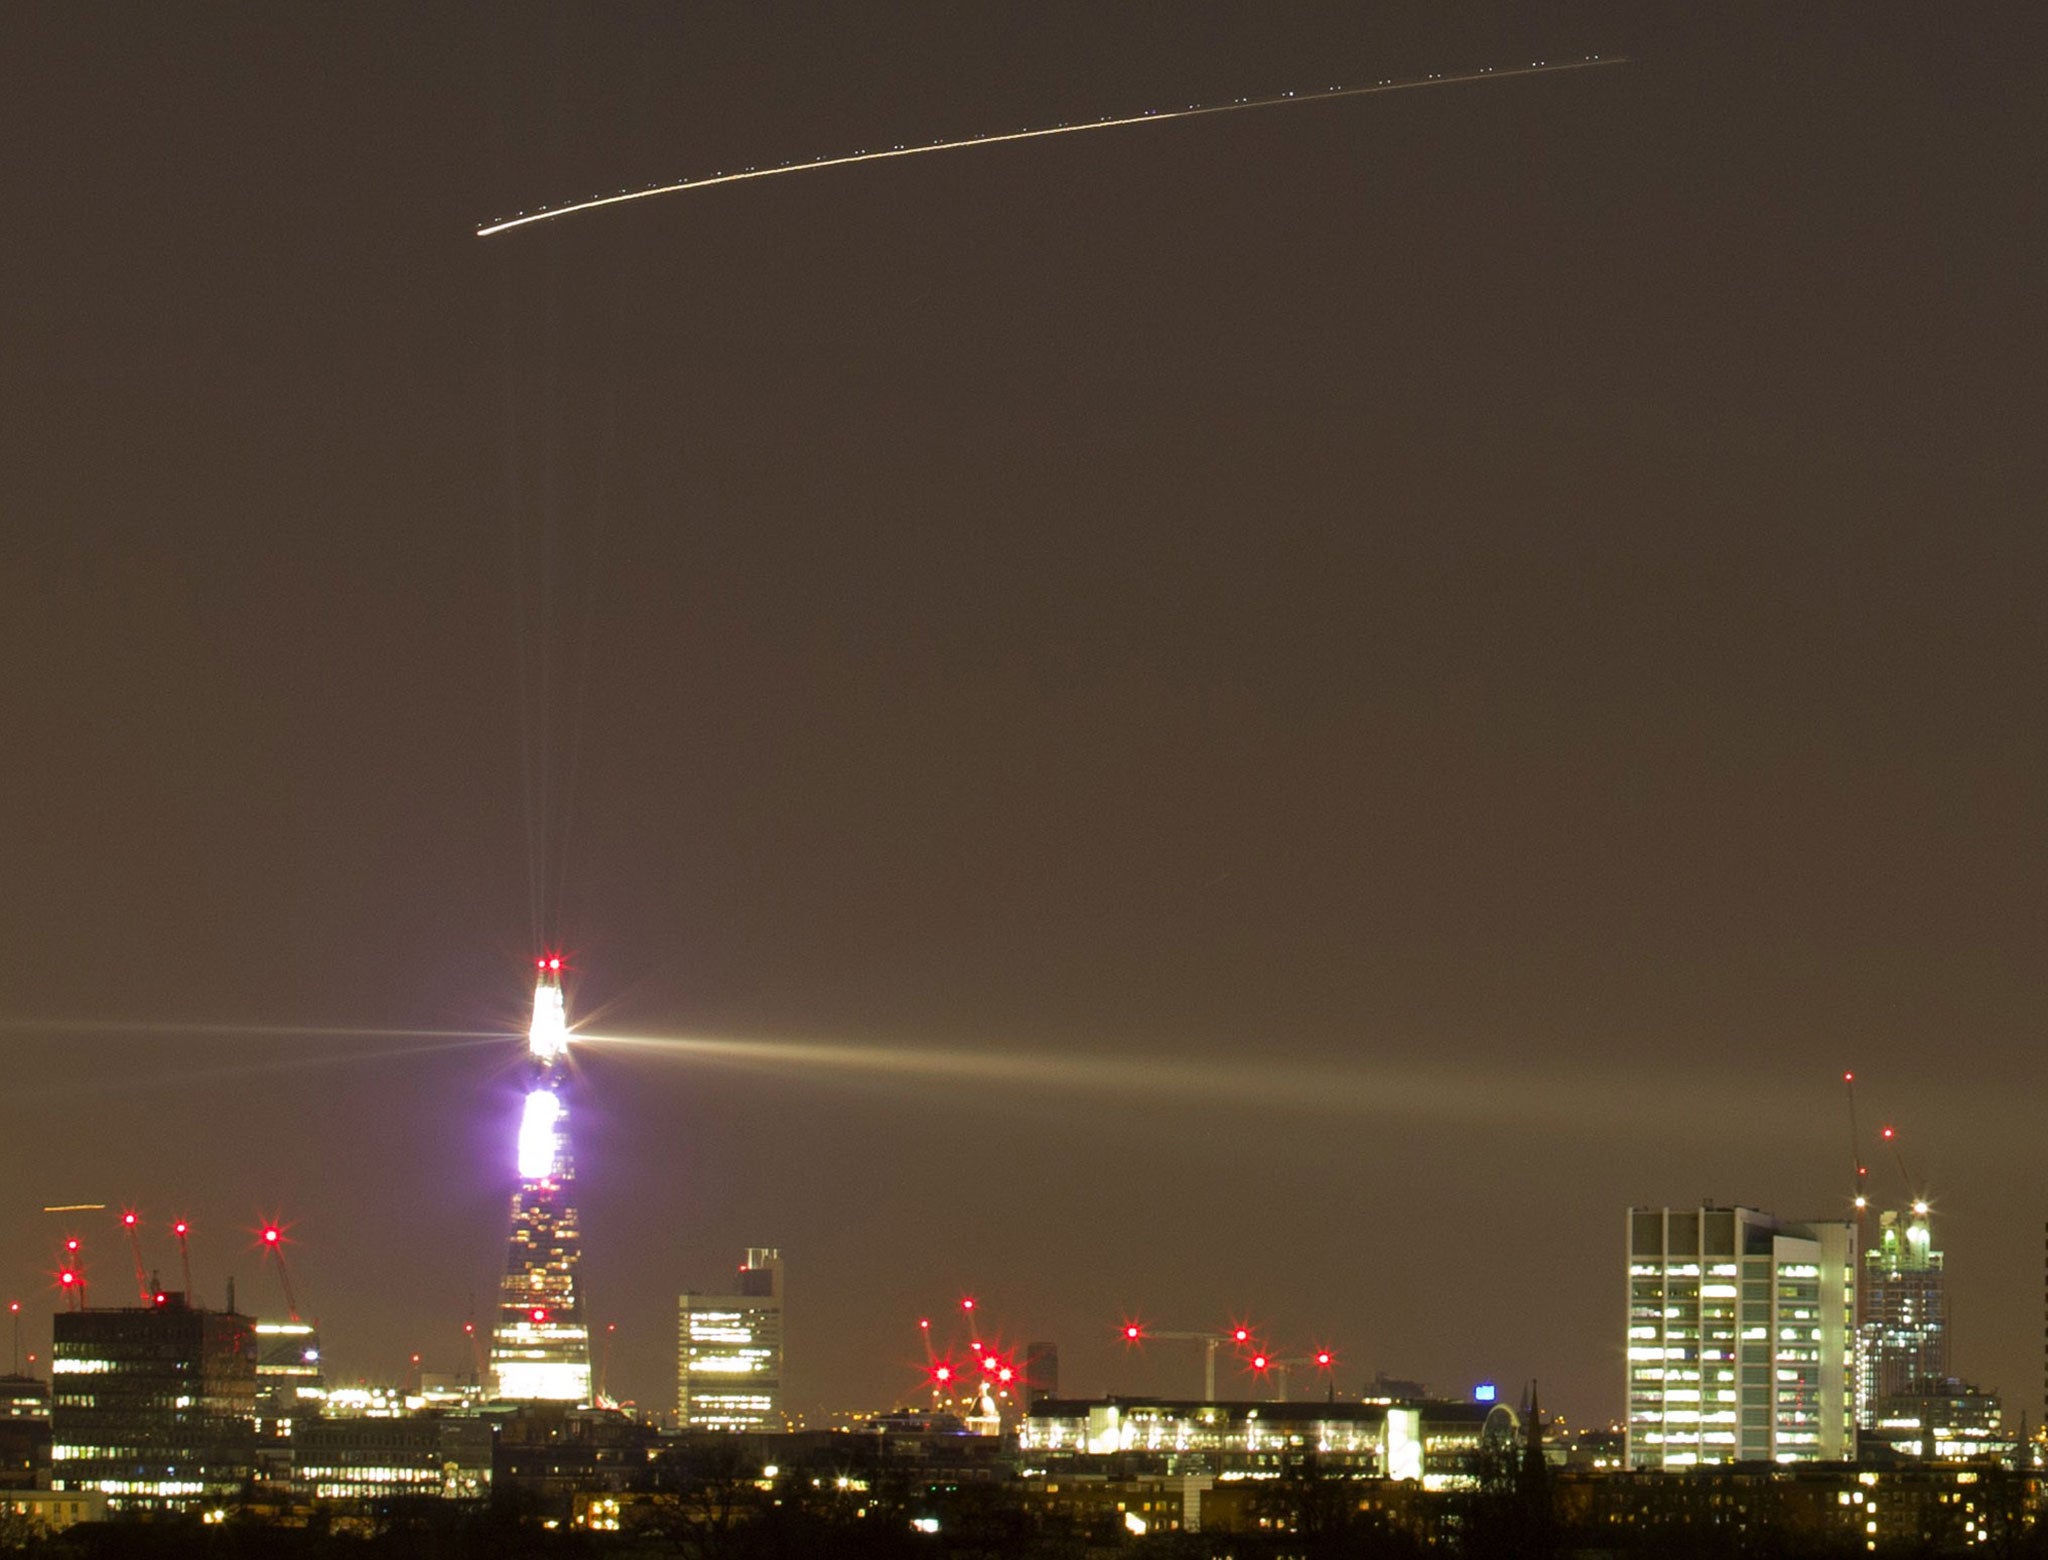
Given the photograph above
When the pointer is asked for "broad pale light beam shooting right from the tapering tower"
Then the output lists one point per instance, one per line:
(1482, 1096)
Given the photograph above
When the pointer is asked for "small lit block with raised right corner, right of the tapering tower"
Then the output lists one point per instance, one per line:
(730, 1350)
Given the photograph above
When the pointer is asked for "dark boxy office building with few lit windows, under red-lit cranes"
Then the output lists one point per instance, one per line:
(155, 1407)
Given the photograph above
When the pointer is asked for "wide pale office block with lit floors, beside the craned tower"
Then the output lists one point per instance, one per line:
(1742, 1338)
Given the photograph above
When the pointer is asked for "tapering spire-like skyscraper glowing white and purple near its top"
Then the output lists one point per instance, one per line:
(542, 1342)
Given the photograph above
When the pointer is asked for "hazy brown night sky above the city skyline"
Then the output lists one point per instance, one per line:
(1369, 683)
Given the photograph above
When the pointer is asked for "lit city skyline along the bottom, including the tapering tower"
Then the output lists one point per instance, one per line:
(1787, 1377)
